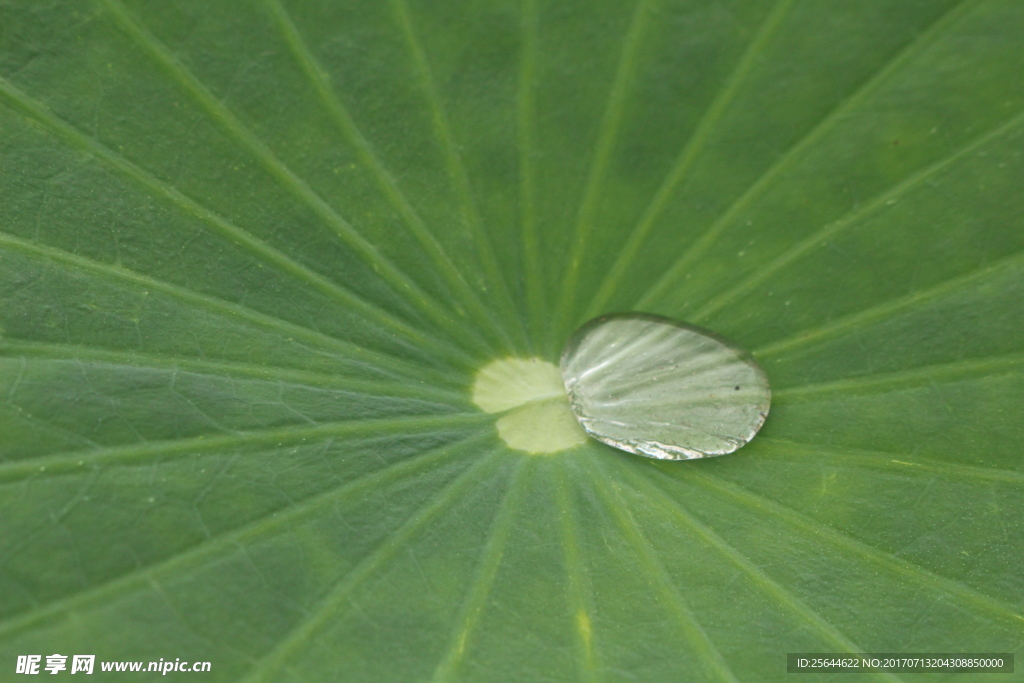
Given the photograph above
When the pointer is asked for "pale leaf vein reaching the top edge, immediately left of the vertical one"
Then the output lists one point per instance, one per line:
(456, 169)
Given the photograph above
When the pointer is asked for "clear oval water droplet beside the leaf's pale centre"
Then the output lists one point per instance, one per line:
(662, 389)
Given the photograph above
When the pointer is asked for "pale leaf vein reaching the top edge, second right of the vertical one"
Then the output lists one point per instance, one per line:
(688, 156)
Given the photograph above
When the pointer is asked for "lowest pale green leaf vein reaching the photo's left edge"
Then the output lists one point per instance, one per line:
(279, 520)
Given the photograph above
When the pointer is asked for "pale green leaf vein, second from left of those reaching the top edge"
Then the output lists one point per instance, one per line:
(321, 82)
